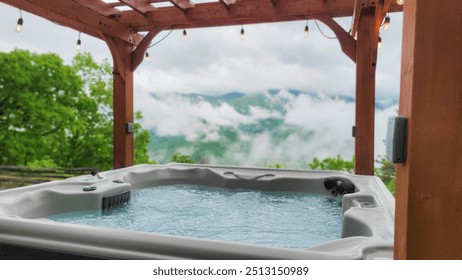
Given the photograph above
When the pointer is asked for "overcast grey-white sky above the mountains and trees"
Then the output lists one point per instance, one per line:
(216, 61)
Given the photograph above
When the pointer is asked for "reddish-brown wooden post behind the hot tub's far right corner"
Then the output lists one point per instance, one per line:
(366, 54)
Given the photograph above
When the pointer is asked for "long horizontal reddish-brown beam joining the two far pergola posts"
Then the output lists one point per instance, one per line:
(241, 12)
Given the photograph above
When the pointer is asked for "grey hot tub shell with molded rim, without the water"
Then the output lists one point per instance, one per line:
(28, 231)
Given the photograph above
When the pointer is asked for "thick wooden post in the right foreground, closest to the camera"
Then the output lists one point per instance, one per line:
(428, 223)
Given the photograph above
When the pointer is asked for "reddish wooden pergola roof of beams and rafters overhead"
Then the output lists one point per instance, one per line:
(96, 17)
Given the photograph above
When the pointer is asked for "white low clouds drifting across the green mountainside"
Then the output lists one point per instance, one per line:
(327, 121)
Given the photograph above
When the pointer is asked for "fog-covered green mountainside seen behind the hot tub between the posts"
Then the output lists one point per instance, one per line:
(277, 126)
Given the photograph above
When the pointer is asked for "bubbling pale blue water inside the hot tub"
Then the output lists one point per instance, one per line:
(282, 219)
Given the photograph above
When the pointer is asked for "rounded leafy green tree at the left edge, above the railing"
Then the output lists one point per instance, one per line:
(36, 97)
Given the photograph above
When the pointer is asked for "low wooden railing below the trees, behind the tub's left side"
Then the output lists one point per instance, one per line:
(18, 176)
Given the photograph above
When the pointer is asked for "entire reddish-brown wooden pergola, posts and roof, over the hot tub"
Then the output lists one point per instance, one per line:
(429, 194)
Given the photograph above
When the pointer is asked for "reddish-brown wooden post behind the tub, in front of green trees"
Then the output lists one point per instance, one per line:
(122, 101)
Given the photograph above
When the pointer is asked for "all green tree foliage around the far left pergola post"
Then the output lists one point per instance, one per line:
(53, 114)
